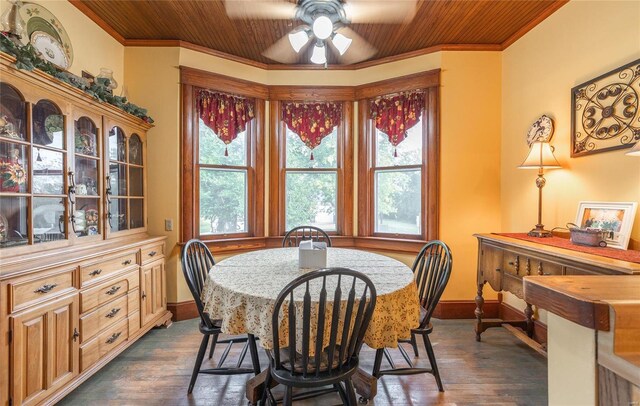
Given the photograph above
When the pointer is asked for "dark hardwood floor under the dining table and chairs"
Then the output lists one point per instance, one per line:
(500, 370)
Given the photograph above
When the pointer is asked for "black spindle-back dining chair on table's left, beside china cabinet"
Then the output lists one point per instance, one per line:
(197, 260)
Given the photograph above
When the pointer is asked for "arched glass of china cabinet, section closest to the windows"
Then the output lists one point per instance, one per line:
(126, 181)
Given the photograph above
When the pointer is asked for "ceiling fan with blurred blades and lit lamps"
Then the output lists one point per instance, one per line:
(324, 25)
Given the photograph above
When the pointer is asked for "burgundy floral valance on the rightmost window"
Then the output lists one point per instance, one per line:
(394, 115)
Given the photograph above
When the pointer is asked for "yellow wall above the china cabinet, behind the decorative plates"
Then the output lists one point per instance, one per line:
(92, 47)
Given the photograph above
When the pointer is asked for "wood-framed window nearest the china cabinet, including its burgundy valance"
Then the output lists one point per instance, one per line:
(222, 158)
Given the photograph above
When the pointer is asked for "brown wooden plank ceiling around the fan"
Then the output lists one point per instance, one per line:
(494, 23)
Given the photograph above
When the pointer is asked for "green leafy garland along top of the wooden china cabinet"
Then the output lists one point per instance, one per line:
(28, 58)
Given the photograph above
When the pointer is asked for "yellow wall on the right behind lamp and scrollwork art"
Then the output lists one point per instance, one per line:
(582, 40)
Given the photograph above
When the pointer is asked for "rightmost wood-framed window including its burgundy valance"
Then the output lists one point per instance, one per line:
(398, 173)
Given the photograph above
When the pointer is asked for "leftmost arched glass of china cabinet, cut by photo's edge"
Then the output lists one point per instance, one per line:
(14, 169)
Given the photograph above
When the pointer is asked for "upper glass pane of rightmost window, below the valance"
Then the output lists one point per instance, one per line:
(409, 150)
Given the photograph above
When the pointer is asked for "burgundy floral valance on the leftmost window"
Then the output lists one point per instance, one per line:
(225, 114)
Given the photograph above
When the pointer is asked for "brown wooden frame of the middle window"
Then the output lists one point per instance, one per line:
(277, 155)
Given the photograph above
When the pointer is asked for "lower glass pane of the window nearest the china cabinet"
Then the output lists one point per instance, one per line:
(223, 201)
